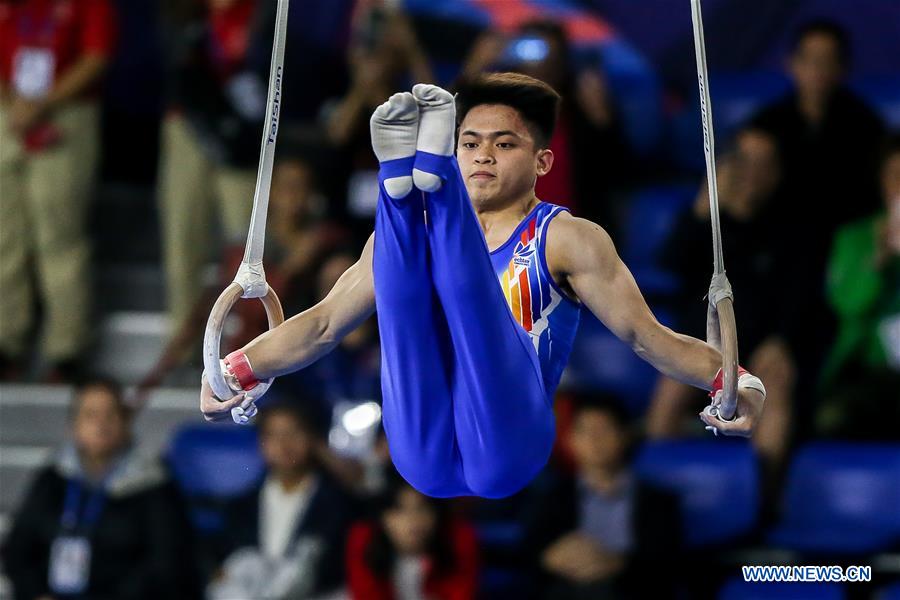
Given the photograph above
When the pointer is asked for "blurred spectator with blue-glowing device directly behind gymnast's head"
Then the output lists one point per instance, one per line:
(588, 132)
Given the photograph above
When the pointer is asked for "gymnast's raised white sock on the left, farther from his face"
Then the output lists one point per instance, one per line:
(394, 126)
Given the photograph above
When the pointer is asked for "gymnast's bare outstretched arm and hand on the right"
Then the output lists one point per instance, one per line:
(581, 256)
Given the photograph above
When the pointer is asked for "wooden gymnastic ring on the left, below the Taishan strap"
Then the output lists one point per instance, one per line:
(212, 338)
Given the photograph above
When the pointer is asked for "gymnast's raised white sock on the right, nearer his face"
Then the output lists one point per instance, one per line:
(437, 128)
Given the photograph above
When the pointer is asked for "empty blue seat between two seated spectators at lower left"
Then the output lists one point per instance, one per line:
(215, 461)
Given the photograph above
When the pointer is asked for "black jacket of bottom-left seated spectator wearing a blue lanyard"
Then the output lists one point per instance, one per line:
(141, 545)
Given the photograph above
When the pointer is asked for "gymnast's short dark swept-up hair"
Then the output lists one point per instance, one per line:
(536, 101)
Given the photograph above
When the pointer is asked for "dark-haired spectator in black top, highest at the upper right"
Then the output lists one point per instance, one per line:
(829, 138)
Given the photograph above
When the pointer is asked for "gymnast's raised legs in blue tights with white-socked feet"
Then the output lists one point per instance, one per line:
(465, 407)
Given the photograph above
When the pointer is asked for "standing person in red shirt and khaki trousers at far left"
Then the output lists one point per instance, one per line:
(52, 58)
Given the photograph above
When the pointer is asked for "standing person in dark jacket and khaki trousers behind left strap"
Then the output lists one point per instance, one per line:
(210, 138)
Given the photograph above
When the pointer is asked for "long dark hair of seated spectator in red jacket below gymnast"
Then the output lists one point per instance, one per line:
(381, 556)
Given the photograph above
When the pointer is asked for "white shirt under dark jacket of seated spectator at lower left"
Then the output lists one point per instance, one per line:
(280, 512)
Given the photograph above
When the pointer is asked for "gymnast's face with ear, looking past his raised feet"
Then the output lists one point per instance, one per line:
(498, 157)
